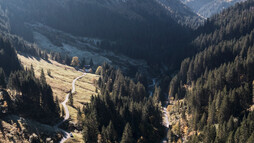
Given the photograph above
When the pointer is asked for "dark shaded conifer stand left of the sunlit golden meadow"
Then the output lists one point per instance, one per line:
(33, 97)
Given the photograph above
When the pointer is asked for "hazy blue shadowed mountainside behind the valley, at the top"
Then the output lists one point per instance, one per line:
(128, 27)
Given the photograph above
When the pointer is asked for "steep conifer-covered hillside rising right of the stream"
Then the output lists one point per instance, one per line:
(217, 83)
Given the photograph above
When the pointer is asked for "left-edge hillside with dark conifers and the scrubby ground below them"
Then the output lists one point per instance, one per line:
(26, 102)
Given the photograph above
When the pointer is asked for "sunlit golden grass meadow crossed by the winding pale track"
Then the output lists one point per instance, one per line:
(61, 82)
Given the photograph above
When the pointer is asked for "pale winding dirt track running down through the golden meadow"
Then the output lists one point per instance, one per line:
(67, 113)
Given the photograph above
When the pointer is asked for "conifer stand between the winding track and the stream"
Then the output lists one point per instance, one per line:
(122, 112)
